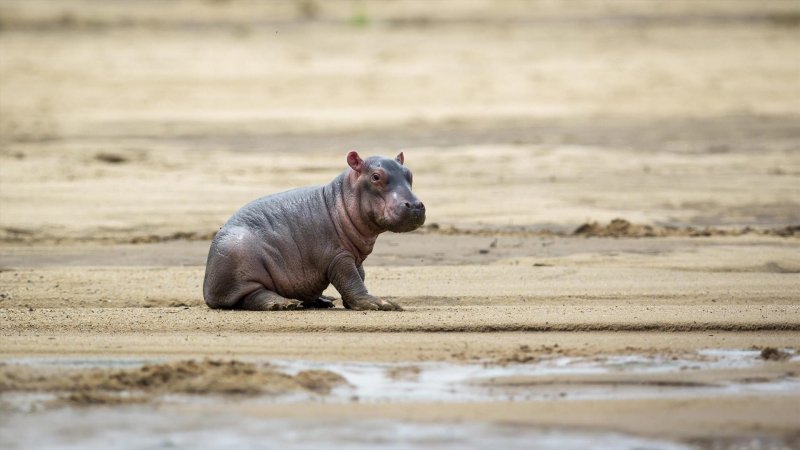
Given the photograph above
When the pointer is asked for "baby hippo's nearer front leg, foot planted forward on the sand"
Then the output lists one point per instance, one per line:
(347, 279)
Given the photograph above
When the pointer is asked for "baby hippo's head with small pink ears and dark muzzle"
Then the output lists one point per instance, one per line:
(386, 199)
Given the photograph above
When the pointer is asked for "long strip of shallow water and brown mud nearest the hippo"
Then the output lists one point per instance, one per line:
(40, 383)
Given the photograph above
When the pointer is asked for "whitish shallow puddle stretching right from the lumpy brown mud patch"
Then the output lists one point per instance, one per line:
(560, 377)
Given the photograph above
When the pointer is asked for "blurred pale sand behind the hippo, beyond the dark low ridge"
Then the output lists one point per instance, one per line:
(157, 119)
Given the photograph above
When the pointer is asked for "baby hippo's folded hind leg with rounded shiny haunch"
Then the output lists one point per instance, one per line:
(232, 274)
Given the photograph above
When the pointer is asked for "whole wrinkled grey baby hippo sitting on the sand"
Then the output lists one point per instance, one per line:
(281, 251)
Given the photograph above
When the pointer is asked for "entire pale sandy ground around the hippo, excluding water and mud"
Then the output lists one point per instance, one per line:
(128, 135)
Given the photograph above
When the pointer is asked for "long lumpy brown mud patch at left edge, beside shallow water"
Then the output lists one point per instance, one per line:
(105, 385)
